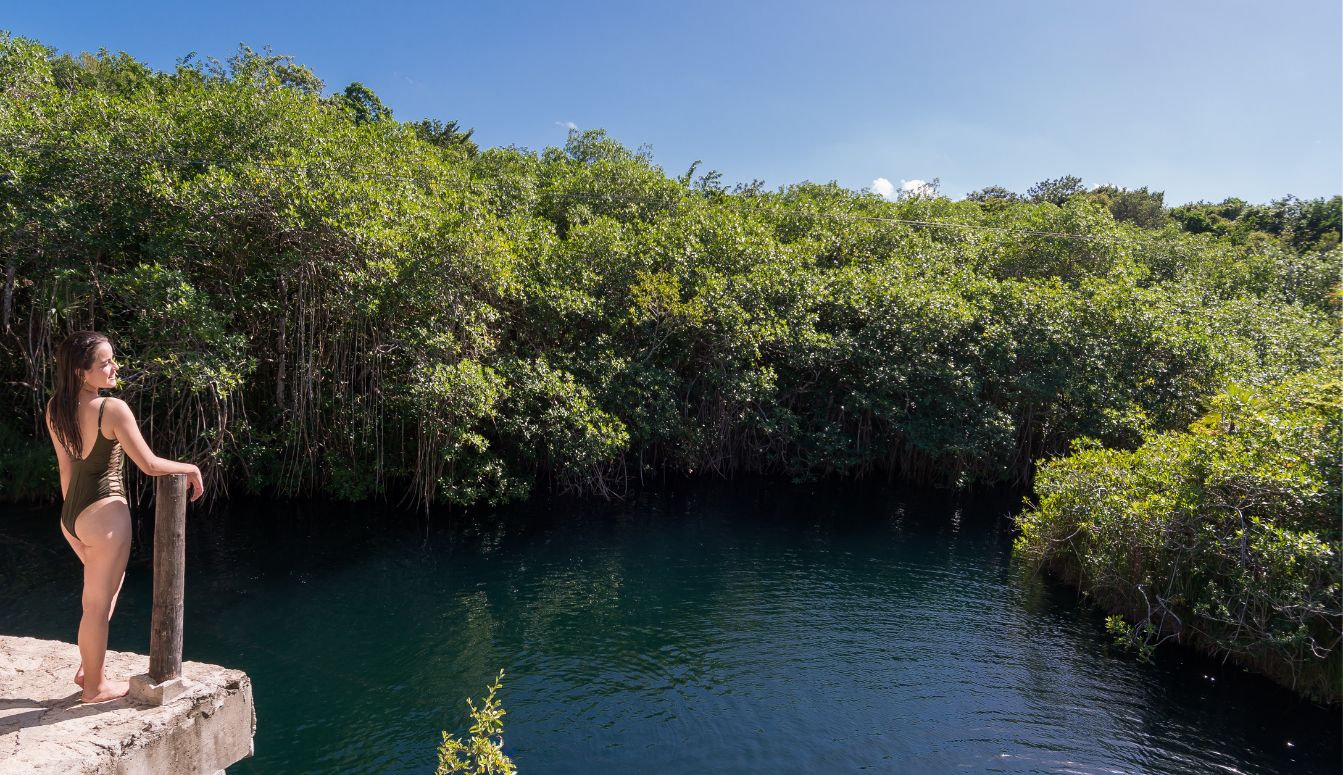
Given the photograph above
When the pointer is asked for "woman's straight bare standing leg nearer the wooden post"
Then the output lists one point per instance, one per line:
(105, 531)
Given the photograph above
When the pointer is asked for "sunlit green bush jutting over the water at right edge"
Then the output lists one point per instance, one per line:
(1225, 535)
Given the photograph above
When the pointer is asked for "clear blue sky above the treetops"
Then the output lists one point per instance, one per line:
(1203, 100)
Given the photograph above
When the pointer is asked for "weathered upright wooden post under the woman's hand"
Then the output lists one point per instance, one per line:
(165, 682)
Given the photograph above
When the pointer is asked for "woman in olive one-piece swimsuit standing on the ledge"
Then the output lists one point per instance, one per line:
(91, 433)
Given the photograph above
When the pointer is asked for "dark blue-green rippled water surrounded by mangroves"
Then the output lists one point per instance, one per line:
(749, 628)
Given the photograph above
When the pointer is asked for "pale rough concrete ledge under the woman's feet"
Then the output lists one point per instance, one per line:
(46, 729)
